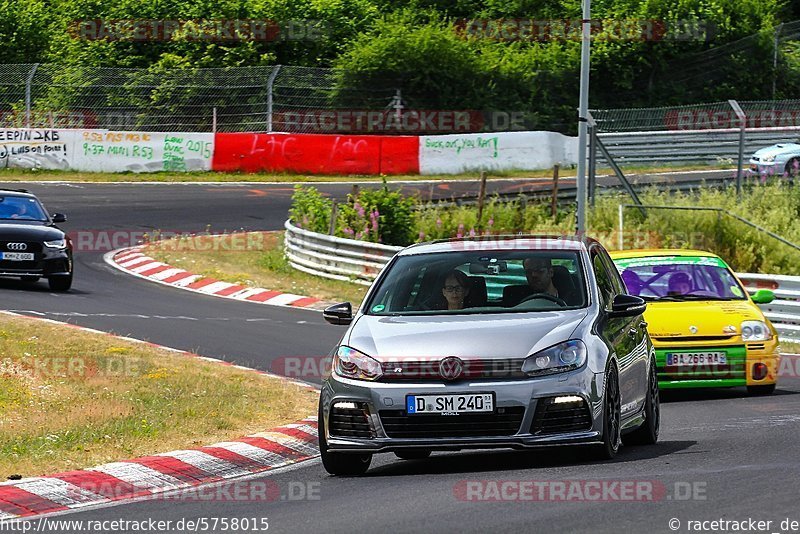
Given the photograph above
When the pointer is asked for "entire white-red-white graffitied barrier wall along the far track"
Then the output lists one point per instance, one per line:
(96, 150)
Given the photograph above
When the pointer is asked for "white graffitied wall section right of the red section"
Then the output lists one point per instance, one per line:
(452, 154)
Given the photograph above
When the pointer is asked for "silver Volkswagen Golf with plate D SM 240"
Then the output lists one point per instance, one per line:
(515, 342)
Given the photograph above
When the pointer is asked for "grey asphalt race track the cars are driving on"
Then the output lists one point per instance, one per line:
(722, 455)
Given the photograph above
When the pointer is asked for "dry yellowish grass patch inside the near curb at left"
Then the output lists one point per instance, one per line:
(71, 399)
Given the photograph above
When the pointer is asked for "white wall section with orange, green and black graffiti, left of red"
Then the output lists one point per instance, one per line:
(105, 151)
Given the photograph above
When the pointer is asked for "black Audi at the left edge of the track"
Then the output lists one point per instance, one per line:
(31, 245)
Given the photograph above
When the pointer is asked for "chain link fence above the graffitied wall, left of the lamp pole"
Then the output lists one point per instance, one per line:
(241, 99)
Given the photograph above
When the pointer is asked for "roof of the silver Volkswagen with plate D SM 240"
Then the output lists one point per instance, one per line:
(491, 243)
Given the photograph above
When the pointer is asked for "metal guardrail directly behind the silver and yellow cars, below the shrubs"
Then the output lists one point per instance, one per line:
(360, 262)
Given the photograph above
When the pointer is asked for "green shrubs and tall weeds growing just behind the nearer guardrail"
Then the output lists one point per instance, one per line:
(388, 217)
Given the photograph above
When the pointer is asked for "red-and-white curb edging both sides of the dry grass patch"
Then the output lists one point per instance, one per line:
(150, 476)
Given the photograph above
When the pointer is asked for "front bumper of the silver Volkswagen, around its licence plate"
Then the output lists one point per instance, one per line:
(363, 416)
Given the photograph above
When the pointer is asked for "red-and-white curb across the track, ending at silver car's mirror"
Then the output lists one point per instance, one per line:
(133, 261)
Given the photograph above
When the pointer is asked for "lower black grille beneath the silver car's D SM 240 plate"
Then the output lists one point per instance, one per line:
(504, 422)
